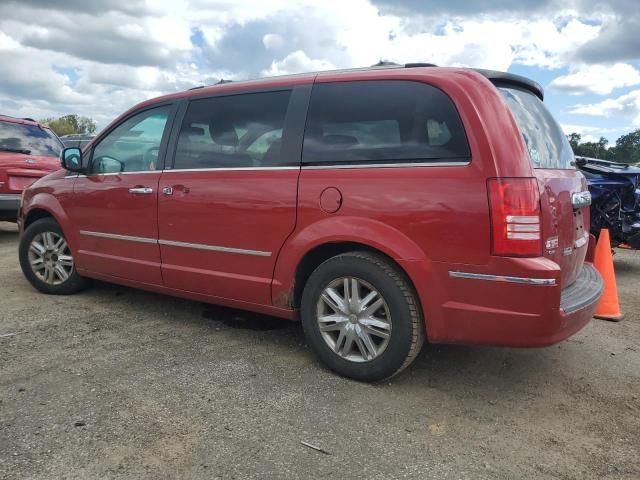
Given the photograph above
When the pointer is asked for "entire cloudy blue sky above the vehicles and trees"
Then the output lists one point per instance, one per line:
(100, 58)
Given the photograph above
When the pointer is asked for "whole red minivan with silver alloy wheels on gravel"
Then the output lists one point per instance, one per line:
(380, 206)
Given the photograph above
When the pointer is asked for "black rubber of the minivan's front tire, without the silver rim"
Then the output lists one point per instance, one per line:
(72, 284)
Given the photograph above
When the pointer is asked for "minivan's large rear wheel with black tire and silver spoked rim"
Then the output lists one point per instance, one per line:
(399, 316)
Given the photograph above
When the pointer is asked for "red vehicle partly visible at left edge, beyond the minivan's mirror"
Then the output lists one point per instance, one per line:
(28, 151)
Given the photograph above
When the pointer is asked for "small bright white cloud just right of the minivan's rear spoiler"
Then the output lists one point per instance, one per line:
(600, 79)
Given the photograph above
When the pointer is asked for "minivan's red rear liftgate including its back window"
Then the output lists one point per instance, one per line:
(563, 189)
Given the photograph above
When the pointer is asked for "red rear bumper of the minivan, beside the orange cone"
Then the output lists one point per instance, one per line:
(518, 310)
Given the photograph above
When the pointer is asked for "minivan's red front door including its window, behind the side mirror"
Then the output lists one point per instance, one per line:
(115, 203)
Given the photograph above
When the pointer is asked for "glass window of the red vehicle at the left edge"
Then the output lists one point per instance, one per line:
(28, 139)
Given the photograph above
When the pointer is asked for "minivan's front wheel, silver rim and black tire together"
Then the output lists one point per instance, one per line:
(47, 276)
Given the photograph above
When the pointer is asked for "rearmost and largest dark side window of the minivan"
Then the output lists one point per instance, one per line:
(382, 121)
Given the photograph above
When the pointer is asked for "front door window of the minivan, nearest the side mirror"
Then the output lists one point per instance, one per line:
(133, 146)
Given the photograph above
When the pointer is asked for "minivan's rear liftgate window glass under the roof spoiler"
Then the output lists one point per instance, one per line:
(547, 144)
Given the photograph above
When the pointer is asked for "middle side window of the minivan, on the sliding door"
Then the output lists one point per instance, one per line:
(233, 131)
